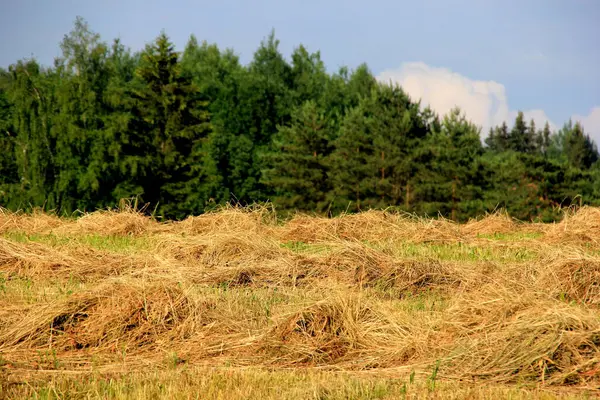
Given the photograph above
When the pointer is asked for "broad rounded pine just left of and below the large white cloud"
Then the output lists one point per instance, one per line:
(373, 160)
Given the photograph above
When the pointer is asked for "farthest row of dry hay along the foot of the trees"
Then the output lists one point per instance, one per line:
(582, 226)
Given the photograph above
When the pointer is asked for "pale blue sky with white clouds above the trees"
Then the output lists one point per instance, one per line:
(489, 57)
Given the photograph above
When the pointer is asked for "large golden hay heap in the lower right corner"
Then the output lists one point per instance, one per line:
(510, 336)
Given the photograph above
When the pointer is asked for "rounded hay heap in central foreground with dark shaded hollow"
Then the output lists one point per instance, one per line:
(341, 330)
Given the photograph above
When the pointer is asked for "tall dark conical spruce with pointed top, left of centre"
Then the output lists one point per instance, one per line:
(174, 117)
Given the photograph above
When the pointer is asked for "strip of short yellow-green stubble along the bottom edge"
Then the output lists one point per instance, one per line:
(229, 383)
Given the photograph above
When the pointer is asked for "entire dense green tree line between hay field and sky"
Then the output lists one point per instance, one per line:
(187, 131)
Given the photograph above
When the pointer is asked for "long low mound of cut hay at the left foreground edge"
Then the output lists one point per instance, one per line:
(116, 315)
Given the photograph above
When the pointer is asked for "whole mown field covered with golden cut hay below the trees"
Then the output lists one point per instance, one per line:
(237, 304)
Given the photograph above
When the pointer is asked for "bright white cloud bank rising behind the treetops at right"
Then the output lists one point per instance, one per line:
(484, 102)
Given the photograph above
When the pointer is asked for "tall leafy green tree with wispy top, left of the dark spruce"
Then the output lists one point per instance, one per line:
(78, 128)
